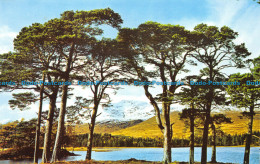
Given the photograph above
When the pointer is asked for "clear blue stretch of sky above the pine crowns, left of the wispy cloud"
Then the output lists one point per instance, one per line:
(20, 13)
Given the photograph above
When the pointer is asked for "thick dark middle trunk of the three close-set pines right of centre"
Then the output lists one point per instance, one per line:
(205, 139)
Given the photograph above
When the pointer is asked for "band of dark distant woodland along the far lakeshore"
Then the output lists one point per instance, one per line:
(23, 133)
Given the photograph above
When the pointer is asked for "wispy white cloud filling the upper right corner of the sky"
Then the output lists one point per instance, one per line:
(241, 17)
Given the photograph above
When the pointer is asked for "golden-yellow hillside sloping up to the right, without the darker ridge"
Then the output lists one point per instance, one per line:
(149, 127)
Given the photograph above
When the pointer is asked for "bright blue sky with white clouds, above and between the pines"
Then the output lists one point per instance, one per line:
(241, 15)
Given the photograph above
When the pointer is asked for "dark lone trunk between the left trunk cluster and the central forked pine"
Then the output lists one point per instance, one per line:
(91, 132)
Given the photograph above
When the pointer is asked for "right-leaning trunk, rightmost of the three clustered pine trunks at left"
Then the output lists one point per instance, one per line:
(59, 135)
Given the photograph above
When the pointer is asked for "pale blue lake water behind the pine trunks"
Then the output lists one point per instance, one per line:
(224, 154)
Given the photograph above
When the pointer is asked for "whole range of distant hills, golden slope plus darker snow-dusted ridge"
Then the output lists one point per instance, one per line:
(149, 128)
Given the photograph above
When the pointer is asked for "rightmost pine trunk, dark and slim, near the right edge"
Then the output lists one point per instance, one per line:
(249, 136)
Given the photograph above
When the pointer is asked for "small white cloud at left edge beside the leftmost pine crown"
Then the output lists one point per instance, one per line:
(6, 39)
